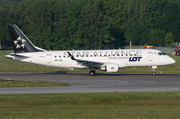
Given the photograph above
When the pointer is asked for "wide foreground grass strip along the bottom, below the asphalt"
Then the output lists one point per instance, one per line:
(145, 105)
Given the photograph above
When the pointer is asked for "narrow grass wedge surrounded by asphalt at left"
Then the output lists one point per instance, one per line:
(6, 83)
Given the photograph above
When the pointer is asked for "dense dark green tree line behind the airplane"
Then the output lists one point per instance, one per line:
(90, 24)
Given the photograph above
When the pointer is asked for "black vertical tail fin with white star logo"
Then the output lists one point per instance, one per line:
(21, 43)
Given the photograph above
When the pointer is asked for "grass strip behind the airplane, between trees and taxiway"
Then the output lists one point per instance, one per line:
(8, 65)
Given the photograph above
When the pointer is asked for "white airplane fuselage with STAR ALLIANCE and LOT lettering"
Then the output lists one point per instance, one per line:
(122, 57)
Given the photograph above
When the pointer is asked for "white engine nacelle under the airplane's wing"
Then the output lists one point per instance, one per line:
(111, 68)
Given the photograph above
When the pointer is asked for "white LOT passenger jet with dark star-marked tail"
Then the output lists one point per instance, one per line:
(105, 60)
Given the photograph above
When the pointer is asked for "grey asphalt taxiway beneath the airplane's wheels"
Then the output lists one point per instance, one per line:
(83, 83)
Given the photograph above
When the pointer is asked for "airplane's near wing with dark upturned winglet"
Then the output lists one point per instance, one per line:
(89, 64)
